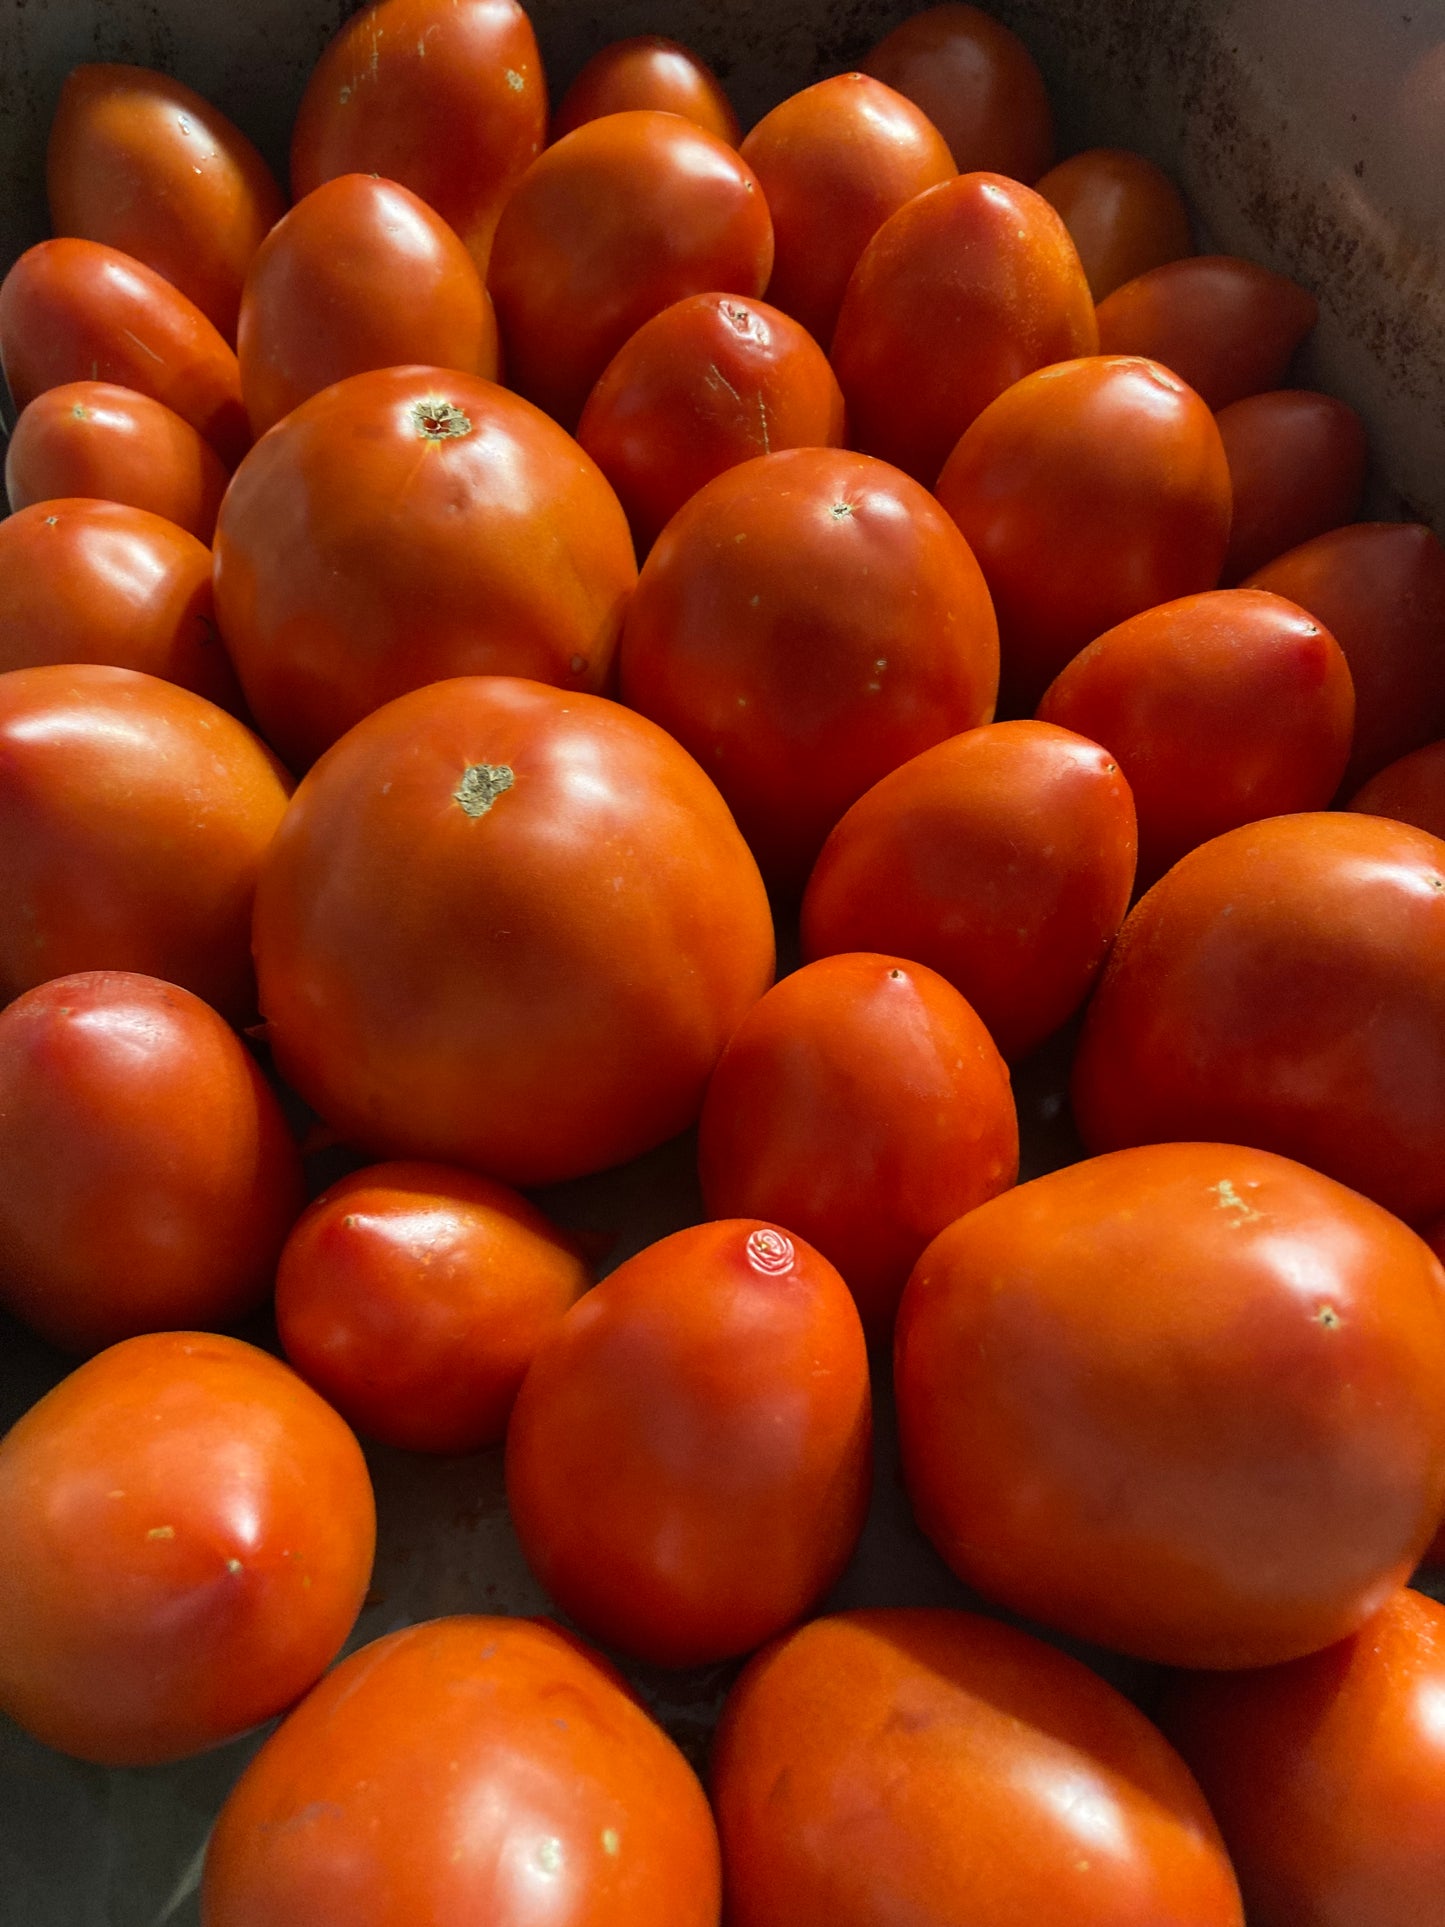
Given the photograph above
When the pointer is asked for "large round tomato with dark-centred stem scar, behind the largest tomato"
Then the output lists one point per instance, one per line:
(406, 527)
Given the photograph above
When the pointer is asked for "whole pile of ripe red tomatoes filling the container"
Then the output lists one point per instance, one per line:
(448, 629)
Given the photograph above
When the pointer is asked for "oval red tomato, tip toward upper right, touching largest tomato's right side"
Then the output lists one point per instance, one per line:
(1001, 858)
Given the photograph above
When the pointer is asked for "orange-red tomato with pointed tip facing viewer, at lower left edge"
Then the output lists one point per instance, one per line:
(188, 1544)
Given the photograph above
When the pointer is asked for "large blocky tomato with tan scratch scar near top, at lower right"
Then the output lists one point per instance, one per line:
(1184, 1400)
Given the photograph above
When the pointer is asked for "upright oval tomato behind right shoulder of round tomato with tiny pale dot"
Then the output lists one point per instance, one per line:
(1090, 492)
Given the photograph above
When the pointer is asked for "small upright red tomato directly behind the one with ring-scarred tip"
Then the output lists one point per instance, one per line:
(866, 1107)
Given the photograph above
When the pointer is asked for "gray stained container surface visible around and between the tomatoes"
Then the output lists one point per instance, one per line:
(1309, 134)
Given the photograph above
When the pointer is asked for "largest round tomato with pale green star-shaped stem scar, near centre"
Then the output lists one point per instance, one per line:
(508, 928)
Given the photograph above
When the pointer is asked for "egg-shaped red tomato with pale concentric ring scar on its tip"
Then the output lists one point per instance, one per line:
(689, 1458)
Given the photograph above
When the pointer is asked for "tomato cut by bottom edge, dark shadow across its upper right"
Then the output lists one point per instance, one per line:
(930, 1768)
